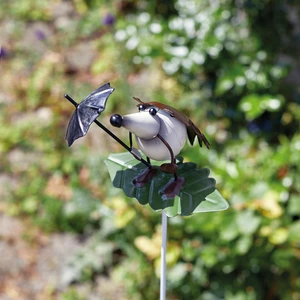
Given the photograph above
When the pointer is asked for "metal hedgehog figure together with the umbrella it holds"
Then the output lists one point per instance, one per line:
(160, 131)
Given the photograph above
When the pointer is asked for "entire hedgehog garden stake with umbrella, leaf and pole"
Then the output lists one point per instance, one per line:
(160, 132)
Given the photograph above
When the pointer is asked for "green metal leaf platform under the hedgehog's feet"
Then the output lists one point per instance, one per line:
(198, 194)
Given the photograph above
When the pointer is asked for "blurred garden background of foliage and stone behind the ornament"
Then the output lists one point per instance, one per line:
(232, 66)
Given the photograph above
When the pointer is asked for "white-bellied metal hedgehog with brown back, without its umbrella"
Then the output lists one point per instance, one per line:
(161, 132)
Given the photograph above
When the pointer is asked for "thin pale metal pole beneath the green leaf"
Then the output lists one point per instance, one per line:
(163, 263)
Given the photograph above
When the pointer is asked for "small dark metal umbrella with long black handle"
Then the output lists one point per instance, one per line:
(87, 112)
